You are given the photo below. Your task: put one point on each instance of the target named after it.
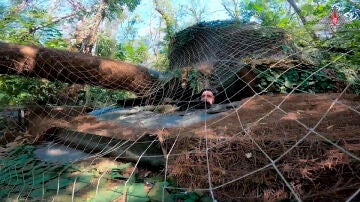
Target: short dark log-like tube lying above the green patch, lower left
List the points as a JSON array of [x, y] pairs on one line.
[[146, 150]]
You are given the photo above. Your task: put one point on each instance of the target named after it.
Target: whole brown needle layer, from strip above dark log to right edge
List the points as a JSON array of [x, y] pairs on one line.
[[312, 140]]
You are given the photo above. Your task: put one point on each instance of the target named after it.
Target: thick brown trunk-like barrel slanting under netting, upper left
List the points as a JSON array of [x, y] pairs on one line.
[[71, 67]]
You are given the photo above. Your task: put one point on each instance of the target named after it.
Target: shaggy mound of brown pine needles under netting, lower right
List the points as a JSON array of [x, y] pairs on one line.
[[317, 169]]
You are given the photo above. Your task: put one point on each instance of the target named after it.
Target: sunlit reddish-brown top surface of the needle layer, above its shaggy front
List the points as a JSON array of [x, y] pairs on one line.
[[305, 108]]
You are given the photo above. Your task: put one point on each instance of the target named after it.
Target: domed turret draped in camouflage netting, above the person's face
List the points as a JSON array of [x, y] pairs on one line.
[[218, 49]]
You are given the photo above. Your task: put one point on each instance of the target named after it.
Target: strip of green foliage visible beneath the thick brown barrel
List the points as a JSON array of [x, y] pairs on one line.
[[29, 91]]
